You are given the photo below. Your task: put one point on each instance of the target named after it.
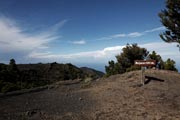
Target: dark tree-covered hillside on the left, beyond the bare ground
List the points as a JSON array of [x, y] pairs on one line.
[[24, 76]]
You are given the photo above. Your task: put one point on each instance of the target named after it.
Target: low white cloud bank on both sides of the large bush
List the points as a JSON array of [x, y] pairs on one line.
[[109, 53]]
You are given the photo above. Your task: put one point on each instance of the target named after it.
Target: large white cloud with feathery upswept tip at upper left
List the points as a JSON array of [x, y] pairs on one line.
[[13, 39]]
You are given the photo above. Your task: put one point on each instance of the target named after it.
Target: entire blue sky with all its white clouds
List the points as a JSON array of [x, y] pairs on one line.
[[82, 32]]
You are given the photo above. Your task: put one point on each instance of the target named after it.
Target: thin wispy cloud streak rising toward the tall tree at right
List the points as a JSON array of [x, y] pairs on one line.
[[132, 35]]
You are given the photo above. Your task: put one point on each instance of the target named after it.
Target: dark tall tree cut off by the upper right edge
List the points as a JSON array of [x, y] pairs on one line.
[[170, 18]]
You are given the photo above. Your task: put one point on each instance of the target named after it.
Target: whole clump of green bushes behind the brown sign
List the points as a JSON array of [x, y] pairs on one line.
[[130, 53]]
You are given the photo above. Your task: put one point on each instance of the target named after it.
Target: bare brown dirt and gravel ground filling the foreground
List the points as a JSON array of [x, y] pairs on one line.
[[119, 97]]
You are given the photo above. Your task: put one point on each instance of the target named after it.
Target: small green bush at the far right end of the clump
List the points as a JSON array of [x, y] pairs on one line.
[[170, 65]]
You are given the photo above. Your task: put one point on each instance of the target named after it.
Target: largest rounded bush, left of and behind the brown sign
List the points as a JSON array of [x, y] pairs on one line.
[[125, 61]]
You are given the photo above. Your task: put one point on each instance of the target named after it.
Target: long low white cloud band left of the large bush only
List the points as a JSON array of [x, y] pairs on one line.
[[105, 53]]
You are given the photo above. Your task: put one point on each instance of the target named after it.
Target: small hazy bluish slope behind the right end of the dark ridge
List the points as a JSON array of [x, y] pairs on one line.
[[92, 72]]
